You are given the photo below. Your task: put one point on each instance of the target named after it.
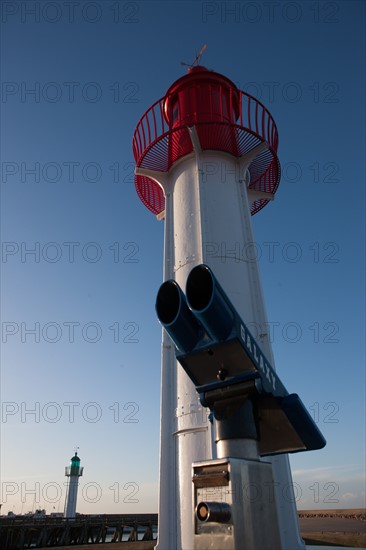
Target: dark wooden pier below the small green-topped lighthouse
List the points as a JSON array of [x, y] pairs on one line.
[[19, 533]]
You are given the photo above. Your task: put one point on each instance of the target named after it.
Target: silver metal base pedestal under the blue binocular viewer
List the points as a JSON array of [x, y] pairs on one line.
[[234, 505]]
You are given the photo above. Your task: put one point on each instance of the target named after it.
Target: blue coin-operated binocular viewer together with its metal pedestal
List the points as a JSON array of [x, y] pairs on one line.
[[253, 414]]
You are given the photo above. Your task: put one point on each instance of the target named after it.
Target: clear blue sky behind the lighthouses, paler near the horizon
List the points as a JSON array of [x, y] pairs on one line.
[[90, 370]]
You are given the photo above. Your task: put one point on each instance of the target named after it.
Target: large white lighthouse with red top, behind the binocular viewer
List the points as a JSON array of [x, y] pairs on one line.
[[206, 161]]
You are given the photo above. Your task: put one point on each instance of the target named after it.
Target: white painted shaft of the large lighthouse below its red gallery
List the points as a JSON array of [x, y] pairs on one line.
[[207, 220]]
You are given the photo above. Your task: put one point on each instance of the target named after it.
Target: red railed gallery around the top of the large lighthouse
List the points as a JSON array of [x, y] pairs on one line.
[[232, 121]]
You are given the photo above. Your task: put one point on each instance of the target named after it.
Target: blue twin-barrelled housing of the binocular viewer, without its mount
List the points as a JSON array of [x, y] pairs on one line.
[[218, 352]]
